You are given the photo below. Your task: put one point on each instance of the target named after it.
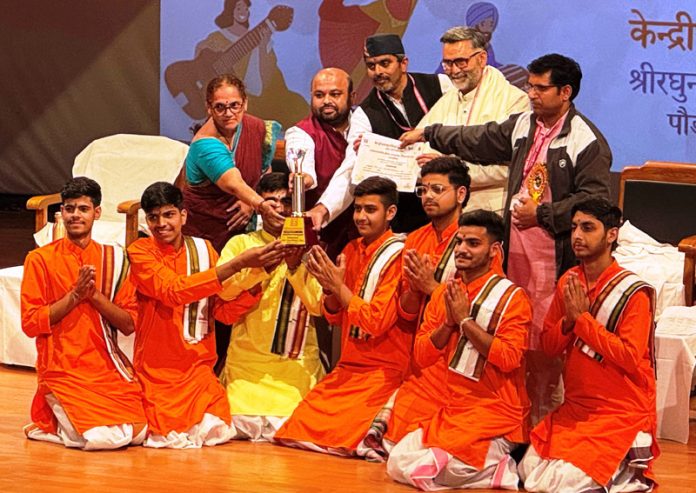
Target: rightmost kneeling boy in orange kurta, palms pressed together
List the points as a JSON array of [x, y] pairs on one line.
[[603, 436]]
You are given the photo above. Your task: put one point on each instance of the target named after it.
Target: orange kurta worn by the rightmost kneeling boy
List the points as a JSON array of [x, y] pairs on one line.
[[606, 403]]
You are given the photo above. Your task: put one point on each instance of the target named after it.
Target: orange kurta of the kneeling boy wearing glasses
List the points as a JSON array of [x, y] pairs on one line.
[[423, 393]]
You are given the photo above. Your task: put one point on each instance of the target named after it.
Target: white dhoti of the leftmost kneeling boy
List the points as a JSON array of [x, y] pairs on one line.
[[97, 438]]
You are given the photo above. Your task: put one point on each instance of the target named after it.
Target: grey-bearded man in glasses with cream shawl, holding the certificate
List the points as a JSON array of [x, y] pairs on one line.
[[481, 95]]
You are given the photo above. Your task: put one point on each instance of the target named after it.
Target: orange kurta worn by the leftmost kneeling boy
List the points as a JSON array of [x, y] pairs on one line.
[[72, 362]]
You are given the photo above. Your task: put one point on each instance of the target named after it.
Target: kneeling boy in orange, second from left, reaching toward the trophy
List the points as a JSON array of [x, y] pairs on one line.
[[176, 281]]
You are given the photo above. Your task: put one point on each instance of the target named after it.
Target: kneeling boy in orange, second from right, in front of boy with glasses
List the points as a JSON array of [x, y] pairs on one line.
[[478, 325]]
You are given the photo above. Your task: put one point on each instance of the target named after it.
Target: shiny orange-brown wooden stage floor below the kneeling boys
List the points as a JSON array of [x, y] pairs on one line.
[[36, 467]]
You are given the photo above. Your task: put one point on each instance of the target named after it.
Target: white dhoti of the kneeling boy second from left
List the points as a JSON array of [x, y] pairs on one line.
[[210, 431]]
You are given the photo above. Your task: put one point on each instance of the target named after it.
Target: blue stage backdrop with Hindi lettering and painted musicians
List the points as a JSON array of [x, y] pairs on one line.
[[638, 58]]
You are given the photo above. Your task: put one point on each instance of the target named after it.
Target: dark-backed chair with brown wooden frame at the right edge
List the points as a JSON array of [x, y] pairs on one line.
[[659, 198]]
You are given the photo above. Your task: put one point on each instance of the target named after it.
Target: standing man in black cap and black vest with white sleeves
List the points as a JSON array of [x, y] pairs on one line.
[[397, 102]]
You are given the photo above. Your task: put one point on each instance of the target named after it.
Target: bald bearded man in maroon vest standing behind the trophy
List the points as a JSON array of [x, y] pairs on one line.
[[321, 139]]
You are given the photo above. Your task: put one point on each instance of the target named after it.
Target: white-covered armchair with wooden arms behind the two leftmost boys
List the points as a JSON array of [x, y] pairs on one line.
[[124, 165]]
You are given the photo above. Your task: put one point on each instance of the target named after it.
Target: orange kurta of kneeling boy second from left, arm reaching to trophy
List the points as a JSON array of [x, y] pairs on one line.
[[177, 377]]
